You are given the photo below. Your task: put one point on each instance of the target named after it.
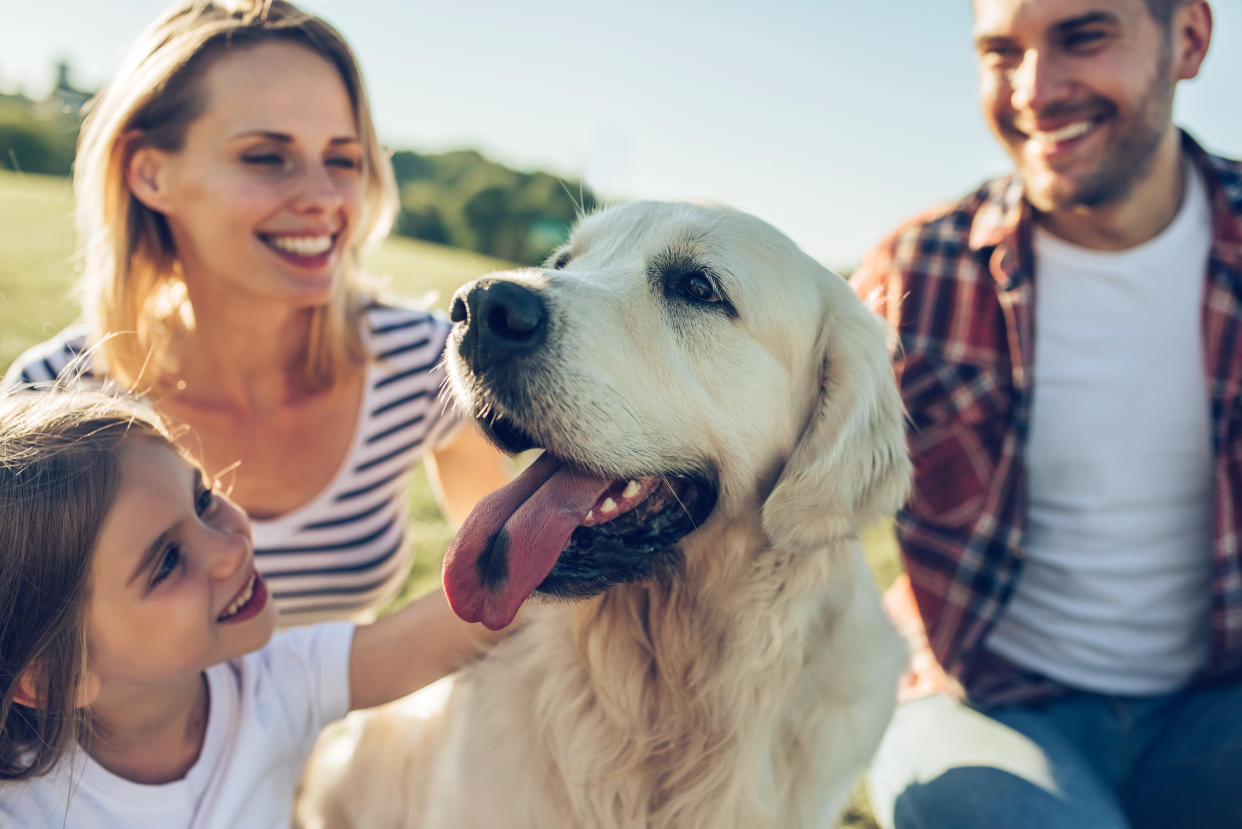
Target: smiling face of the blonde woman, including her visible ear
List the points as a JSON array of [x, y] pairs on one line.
[[263, 197]]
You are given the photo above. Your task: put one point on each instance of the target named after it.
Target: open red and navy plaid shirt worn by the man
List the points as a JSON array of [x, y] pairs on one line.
[[957, 285]]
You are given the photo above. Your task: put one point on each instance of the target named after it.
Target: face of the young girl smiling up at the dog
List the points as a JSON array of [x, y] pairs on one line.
[[173, 582]]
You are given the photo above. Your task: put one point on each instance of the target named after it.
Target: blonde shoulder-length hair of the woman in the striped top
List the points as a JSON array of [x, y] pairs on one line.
[[131, 282]]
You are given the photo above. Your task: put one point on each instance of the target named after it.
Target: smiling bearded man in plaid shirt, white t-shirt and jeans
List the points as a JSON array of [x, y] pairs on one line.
[[1072, 365]]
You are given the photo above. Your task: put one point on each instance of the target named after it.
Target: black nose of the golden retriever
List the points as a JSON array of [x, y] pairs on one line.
[[497, 320]]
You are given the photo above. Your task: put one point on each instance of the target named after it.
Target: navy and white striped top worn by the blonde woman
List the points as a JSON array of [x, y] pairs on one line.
[[343, 554]]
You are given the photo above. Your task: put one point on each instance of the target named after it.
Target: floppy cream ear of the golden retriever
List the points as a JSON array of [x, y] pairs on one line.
[[851, 464]]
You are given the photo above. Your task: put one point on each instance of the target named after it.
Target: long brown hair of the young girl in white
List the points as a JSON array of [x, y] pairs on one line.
[[60, 472]]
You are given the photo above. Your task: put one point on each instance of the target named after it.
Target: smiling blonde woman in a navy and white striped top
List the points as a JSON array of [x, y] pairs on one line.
[[229, 182]]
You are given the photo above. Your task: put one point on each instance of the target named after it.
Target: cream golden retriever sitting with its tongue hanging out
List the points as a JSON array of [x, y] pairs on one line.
[[718, 419]]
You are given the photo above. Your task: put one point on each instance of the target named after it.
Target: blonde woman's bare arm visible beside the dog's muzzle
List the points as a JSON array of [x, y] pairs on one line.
[[464, 472]]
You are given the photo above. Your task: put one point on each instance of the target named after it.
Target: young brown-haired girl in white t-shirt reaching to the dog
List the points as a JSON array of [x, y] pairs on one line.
[[141, 683]]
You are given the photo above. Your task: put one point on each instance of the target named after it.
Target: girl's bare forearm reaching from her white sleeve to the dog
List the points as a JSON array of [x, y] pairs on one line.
[[412, 648]]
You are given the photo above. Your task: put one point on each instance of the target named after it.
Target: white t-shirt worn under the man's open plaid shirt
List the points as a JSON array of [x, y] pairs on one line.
[[1115, 592]]
